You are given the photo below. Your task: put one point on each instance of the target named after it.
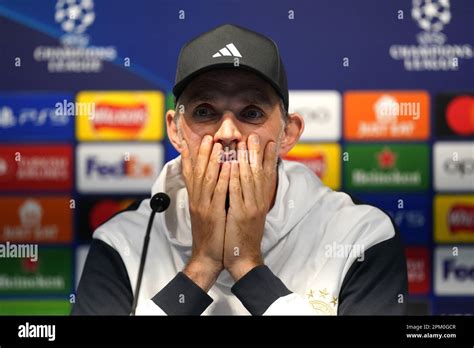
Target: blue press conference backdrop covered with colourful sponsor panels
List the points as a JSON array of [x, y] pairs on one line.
[[386, 89]]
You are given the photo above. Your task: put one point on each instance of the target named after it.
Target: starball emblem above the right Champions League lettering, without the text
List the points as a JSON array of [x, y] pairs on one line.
[[431, 16]]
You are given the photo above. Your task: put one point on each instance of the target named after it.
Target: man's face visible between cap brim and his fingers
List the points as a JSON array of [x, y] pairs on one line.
[[229, 105]]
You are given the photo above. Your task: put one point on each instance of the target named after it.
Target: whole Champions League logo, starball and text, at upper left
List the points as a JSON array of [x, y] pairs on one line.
[[74, 55]]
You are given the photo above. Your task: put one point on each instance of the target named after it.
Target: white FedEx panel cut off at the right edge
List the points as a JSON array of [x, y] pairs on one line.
[[454, 270]]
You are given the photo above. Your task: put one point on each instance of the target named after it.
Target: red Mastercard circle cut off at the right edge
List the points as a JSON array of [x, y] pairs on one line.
[[460, 115]]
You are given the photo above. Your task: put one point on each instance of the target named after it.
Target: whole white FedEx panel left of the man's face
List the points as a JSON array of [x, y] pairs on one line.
[[118, 168]]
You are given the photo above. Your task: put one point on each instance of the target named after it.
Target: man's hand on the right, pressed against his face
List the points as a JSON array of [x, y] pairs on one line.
[[252, 180]]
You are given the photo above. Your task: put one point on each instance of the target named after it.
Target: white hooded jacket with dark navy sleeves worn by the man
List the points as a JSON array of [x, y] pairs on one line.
[[323, 254]]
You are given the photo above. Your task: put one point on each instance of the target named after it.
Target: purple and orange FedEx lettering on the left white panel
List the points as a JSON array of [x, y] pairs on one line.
[[129, 168]]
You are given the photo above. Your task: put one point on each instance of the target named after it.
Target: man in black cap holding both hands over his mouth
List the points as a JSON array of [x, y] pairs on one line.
[[246, 233]]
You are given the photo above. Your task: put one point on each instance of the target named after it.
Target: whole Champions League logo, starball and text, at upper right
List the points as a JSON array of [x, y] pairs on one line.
[[432, 52]]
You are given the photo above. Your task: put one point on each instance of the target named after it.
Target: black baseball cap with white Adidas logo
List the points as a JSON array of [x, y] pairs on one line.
[[225, 46]]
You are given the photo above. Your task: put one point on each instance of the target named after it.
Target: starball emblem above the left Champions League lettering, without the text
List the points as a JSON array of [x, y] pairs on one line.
[[75, 16]]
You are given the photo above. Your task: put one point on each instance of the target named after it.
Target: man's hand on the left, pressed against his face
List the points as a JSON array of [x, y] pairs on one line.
[[207, 189]]
